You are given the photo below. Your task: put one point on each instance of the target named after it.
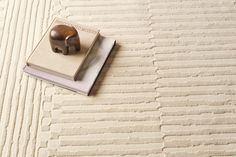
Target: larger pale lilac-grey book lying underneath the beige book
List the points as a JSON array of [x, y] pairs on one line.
[[89, 71]]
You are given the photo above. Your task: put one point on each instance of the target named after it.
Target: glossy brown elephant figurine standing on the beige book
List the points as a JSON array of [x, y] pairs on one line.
[[64, 39]]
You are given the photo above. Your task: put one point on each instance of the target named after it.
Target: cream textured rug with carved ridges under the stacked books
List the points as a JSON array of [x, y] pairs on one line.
[[168, 89]]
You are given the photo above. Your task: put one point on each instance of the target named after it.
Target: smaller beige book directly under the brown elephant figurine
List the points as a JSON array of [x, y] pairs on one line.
[[66, 66]]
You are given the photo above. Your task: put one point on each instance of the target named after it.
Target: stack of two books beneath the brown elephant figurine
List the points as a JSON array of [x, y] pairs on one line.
[[77, 72]]
